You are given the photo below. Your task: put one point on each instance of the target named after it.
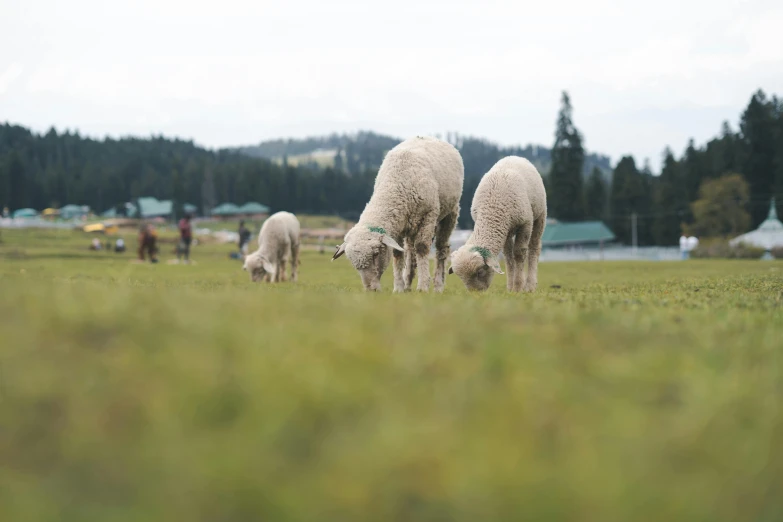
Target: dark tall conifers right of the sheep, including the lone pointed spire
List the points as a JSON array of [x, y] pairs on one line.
[[668, 204]]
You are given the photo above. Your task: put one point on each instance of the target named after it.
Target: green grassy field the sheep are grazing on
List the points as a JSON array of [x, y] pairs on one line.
[[617, 392]]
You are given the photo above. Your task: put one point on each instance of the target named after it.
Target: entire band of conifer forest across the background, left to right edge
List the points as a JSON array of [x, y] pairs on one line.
[[54, 169]]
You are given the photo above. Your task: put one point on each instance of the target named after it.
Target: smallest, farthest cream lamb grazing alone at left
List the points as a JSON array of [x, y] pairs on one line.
[[279, 237]]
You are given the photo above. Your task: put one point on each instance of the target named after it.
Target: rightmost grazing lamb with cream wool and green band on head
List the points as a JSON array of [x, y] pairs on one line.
[[509, 211]]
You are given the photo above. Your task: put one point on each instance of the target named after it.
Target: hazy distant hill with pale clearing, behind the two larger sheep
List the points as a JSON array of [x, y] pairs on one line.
[[362, 151]]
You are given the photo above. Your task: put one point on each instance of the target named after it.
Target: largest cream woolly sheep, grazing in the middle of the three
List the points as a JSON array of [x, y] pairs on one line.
[[415, 200]]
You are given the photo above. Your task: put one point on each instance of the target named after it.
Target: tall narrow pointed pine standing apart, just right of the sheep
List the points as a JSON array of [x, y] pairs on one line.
[[565, 175]]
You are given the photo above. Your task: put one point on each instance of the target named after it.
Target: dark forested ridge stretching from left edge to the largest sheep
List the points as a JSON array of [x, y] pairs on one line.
[[52, 170]]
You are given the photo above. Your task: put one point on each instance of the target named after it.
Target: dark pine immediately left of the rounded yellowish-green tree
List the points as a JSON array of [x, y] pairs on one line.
[[670, 202]]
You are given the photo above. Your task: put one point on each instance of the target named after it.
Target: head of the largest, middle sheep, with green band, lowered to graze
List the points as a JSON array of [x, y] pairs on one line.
[[368, 249]]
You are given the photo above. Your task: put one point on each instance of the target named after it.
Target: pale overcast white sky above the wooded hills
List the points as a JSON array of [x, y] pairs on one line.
[[236, 72]]
